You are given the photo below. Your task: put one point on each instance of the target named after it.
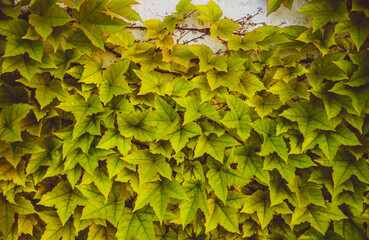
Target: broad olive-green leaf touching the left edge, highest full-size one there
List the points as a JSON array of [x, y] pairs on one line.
[[14, 30]]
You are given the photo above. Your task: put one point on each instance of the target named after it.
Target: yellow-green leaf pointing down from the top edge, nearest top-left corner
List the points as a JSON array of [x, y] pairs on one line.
[[45, 15]]
